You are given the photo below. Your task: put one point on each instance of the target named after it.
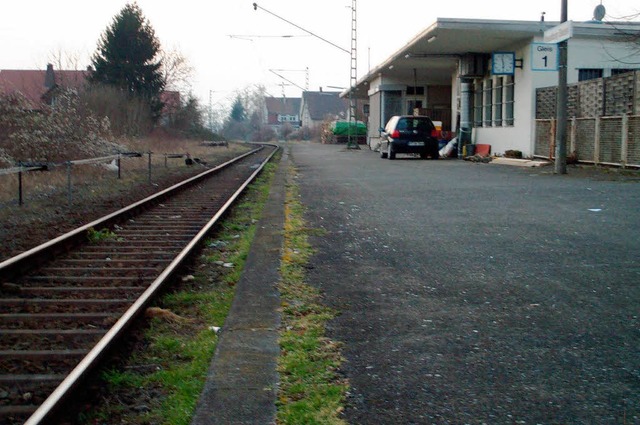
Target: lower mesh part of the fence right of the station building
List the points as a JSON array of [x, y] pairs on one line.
[[599, 140]]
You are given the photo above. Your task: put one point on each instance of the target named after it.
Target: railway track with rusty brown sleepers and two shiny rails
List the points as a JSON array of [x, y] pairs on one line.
[[64, 303]]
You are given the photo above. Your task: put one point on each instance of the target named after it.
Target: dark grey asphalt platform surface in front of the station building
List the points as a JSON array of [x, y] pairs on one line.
[[477, 293]]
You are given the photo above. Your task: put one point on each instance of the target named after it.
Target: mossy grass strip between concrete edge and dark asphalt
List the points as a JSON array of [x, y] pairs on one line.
[[311, 388]]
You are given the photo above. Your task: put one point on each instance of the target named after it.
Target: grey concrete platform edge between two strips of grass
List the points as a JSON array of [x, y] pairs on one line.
[[242, 381]]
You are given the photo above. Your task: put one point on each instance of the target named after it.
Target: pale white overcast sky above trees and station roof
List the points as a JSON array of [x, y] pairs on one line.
[[212, 34]]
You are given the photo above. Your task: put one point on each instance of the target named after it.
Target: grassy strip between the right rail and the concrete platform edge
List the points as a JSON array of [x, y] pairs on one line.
[[162, 381]]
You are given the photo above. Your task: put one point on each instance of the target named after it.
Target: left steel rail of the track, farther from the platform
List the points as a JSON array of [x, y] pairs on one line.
[[25, 260]]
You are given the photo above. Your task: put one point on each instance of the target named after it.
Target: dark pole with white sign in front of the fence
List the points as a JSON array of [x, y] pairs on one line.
[[560, 166]]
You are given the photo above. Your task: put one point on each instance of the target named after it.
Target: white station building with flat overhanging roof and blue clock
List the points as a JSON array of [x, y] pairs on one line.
[[479, 77]]
